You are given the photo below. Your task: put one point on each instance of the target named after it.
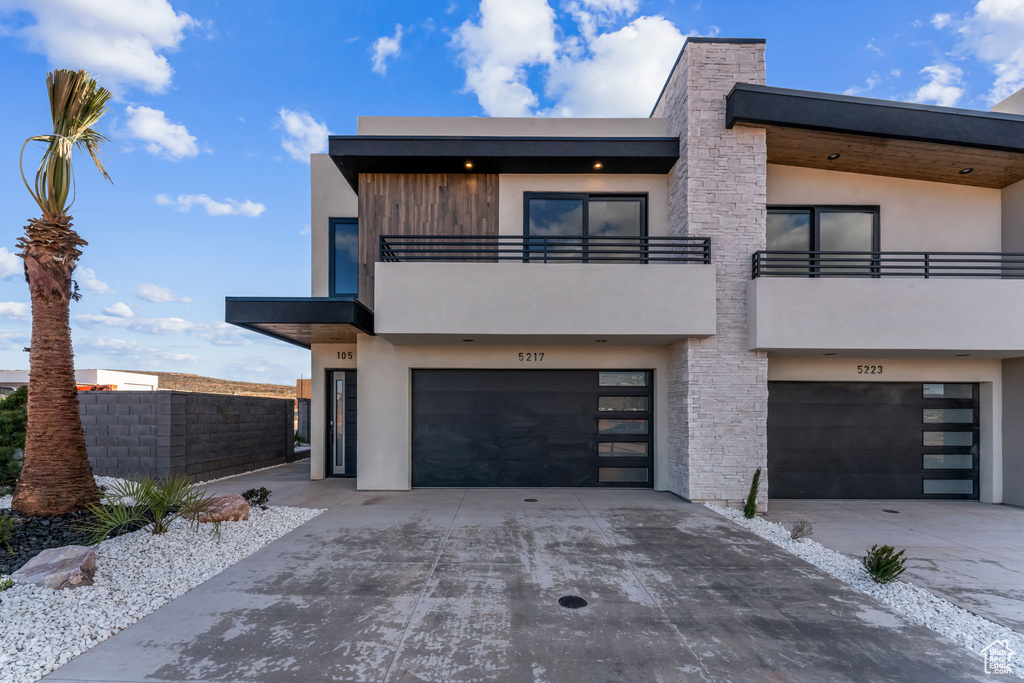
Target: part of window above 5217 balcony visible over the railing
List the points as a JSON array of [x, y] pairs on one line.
[[580, 215]]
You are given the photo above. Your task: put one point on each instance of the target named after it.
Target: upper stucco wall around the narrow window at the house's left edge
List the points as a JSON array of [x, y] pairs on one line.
[[331, 198]]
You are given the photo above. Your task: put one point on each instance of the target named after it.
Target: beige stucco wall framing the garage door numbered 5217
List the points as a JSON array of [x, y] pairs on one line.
[[386, 392]]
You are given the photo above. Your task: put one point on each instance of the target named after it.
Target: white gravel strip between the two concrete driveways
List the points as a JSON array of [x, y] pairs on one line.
[[969, 630]]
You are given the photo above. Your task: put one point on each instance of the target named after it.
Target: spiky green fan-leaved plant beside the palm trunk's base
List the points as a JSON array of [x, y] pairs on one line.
[[135, 504]]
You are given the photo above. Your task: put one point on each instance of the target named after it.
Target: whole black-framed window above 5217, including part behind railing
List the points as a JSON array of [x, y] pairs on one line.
[[563, 216]]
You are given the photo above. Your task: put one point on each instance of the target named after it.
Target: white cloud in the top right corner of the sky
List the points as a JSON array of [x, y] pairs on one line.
[[995, 34]]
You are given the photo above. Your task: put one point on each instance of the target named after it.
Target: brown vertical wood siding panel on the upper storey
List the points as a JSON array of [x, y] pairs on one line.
[[421, 204]]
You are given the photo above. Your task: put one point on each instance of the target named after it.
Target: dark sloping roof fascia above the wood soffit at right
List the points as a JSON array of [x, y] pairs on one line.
[[762, 105]]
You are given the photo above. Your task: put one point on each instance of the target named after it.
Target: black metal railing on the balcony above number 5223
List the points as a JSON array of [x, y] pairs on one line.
[[887, 265]]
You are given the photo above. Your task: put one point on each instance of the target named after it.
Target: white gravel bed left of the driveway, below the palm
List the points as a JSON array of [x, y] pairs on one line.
[[41, 629]]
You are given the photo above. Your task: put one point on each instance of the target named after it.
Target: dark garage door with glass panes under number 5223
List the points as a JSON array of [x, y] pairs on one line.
[[873, 441]]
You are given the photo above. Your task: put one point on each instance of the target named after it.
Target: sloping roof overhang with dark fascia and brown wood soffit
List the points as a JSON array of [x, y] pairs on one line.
[[882, 138]]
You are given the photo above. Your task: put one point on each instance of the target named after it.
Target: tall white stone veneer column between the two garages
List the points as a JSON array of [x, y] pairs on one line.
[[718, 390]]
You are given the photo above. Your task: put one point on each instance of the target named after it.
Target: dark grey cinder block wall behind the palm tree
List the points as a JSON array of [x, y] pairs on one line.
[[157, 434]]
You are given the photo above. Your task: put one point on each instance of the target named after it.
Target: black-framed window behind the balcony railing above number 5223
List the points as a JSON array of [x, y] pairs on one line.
[[824, 229]]
